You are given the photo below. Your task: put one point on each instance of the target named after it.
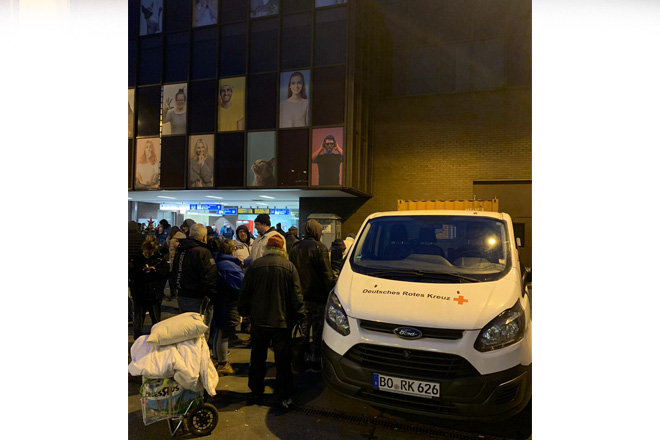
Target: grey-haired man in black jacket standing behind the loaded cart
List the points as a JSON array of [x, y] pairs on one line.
[[194, 273]]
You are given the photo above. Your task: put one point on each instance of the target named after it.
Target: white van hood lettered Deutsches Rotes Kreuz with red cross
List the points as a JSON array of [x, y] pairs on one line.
[[460, 306]]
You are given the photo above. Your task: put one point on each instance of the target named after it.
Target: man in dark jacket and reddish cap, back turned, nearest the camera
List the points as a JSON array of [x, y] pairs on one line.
[[271, 297]]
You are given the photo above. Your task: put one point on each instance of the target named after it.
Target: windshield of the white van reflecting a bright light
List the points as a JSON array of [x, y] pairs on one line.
[[433, 248]]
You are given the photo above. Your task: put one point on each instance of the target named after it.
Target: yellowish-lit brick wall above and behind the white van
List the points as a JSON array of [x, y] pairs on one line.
[[434, 147]]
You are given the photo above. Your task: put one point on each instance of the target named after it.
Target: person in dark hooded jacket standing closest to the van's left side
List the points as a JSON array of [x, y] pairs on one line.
[[310, 256]]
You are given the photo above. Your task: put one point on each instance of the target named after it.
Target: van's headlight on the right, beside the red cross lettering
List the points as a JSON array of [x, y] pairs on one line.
[[506, 329]]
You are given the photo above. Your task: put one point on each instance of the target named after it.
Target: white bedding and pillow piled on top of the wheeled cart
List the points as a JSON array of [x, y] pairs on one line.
[[176, 348]]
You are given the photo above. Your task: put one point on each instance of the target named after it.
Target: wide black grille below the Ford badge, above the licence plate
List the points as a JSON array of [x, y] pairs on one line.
[[418, 363]]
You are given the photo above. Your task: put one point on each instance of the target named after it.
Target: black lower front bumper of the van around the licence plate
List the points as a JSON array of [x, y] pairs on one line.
[[489, 397]]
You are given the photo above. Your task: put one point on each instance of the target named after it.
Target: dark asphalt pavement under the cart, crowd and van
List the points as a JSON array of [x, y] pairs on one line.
[[319, 413]]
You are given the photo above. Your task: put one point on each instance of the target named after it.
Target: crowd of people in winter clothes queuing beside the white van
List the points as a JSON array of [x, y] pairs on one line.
[[264, 285]]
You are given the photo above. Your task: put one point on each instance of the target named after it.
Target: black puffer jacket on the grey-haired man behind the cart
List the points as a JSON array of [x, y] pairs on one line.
[[195, 275]]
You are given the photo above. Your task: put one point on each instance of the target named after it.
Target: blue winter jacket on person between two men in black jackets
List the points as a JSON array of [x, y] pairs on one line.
[[230, 280]]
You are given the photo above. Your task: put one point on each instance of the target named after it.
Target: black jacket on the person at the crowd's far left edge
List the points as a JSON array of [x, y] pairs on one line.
[[147, 285]]
